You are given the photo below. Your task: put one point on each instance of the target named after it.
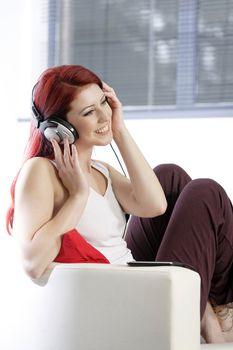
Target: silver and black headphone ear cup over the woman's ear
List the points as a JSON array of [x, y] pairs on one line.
[[58, 129]]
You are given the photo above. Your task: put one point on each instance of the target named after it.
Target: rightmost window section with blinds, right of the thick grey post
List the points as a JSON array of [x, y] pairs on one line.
[[215, 52]]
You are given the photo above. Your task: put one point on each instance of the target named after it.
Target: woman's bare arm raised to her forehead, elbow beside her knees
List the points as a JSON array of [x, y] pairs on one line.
[[142, 195]]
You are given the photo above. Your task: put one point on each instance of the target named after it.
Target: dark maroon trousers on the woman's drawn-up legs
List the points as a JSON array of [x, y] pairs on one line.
[[197, 229]]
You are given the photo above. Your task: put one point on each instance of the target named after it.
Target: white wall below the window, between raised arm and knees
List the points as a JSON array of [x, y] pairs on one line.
[[203, 147]]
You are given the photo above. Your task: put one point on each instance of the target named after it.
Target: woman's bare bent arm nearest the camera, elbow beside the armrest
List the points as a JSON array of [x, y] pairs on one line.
[[38, 224]]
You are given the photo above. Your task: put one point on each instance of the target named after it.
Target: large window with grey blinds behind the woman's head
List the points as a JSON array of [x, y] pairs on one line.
[[160, 55]]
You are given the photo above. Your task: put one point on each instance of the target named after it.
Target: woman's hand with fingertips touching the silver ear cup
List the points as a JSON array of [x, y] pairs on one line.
[[69, 169]]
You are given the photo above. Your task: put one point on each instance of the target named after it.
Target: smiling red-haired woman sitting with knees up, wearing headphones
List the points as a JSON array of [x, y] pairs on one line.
[[60, 187]]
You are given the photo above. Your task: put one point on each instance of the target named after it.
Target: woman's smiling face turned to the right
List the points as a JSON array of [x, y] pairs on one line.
[[91, 116]]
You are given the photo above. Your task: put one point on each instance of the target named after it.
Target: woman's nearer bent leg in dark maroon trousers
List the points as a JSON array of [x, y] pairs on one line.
[[200, 233]]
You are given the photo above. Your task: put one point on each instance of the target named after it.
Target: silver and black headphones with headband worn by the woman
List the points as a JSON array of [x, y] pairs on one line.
[[54, 127]]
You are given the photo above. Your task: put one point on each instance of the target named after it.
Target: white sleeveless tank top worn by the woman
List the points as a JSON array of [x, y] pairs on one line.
[[103, 222]]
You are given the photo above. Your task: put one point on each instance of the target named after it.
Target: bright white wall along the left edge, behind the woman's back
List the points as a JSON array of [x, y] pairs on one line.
[[15, 81]]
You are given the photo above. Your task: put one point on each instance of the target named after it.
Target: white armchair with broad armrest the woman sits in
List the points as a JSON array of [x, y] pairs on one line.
[[102, 307]]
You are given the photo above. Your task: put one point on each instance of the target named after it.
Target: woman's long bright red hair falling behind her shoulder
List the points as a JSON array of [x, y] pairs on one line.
[[52, 96]]
